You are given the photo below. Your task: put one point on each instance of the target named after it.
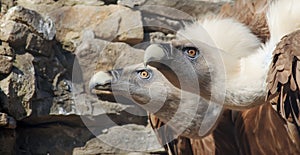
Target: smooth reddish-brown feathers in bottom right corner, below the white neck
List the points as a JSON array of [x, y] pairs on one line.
[[260, 130]]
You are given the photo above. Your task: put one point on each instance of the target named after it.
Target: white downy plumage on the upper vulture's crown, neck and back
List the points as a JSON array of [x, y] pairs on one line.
[[246, 60]]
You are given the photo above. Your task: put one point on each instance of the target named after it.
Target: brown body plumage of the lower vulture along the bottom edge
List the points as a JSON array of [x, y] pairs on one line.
[[259, 130]]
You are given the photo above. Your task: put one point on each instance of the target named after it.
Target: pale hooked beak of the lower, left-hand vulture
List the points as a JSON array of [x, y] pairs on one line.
[[101, 81]]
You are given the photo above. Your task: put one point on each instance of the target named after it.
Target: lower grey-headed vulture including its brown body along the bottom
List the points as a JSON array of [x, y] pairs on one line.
[[253, 131]]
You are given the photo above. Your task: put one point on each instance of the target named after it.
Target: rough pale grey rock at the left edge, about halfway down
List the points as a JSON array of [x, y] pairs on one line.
[[19, 87]]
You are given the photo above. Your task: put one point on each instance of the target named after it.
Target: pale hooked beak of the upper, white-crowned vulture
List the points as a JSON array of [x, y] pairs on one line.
[[156, 52]]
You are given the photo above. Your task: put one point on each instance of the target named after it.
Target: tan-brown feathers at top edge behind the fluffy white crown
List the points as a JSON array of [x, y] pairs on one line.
[[251, 13]]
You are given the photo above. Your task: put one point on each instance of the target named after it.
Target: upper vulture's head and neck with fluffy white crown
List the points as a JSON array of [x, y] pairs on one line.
[[217, 61]]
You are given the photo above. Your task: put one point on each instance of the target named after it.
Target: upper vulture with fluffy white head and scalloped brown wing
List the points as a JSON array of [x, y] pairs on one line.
[[215, 47]]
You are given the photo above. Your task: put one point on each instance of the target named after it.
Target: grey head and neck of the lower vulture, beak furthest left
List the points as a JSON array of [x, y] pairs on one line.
[[186, 113]]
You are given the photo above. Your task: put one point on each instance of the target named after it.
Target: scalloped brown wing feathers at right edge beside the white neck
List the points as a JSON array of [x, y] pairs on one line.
[[283, 79]]
